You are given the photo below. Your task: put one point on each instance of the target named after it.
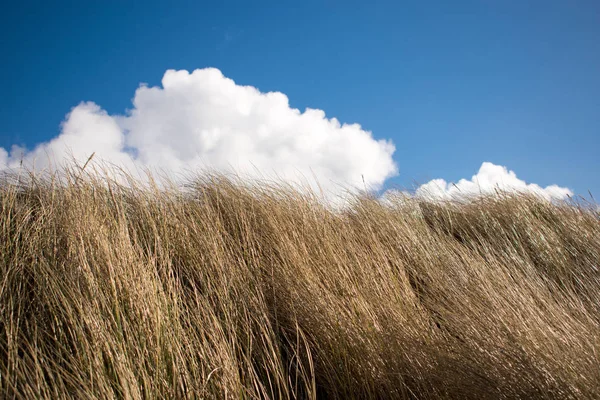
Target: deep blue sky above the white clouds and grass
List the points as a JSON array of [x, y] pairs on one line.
[[452, 84]]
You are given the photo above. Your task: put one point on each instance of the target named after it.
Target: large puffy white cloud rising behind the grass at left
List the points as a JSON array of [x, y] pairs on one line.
[[204, 120]]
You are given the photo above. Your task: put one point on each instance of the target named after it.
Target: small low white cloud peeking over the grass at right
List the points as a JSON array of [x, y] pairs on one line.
[[490, 178]]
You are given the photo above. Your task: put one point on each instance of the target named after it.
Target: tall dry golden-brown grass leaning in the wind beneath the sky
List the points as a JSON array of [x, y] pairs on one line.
[[225, 291]]
